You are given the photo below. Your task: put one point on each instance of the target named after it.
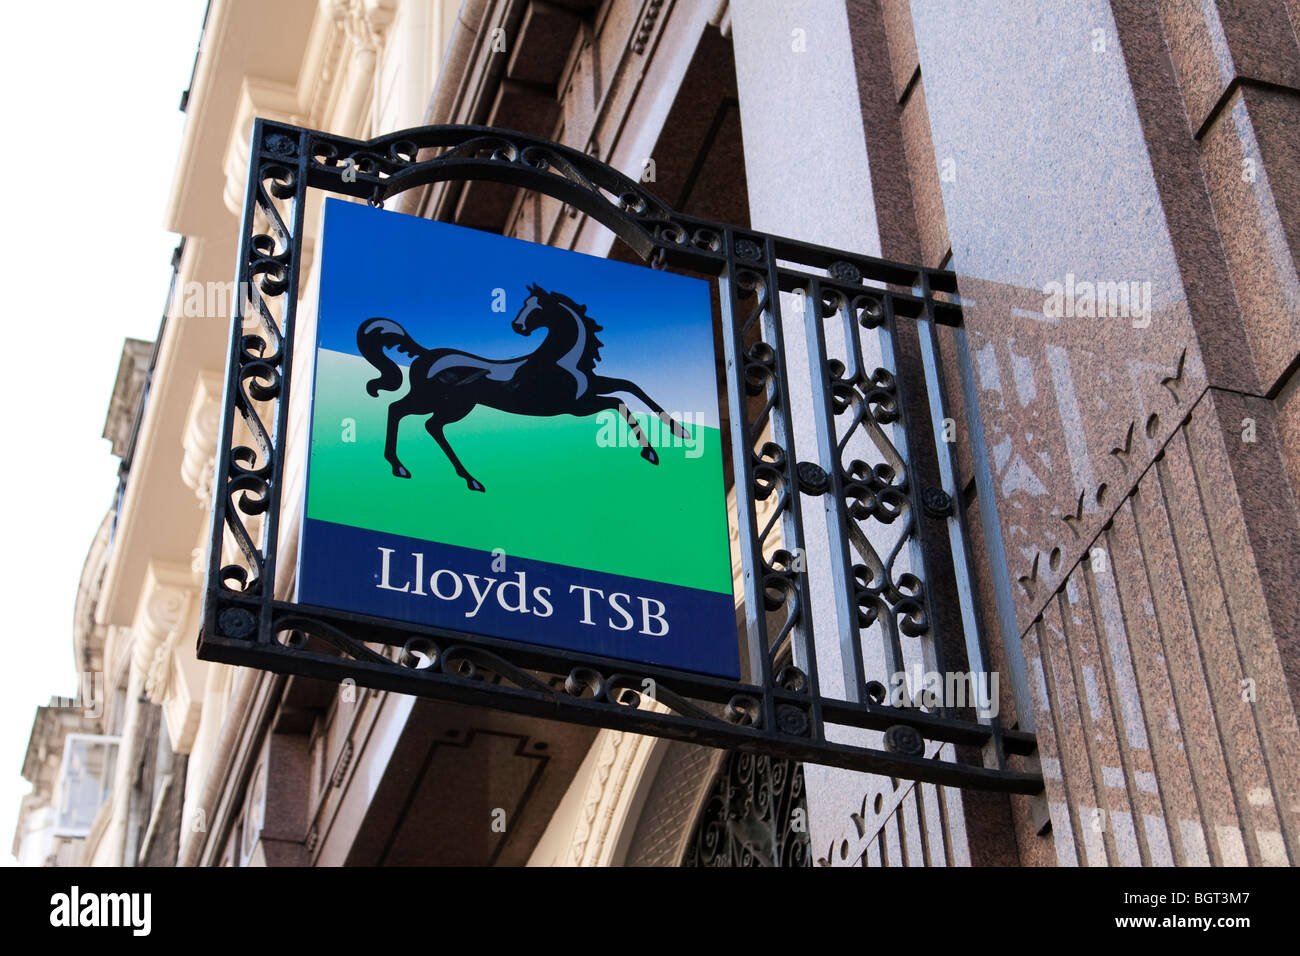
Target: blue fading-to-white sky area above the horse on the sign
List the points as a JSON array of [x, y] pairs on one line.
[[439, 280]]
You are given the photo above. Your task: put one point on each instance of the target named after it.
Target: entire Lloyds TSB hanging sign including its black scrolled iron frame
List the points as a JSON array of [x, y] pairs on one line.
[[515, 477]]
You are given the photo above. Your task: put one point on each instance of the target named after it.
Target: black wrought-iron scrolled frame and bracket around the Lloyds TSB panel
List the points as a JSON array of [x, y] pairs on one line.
[[779, 712]]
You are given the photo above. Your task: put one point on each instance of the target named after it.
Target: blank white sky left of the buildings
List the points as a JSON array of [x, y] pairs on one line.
[[92, 124]]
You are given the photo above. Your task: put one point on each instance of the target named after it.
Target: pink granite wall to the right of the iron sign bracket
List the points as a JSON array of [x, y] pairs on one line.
[[1146, 474]]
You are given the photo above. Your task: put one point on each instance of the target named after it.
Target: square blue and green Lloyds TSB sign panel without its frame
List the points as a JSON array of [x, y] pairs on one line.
[[517, 442]]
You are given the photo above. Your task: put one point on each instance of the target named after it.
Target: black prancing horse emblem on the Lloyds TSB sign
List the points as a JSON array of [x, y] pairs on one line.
[[557, 379]]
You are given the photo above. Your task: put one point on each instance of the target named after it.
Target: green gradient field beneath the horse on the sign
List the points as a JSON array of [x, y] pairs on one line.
[[553, 492]]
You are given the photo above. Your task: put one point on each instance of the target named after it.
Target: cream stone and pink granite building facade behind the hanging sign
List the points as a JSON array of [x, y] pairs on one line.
[[1117, 189]]
